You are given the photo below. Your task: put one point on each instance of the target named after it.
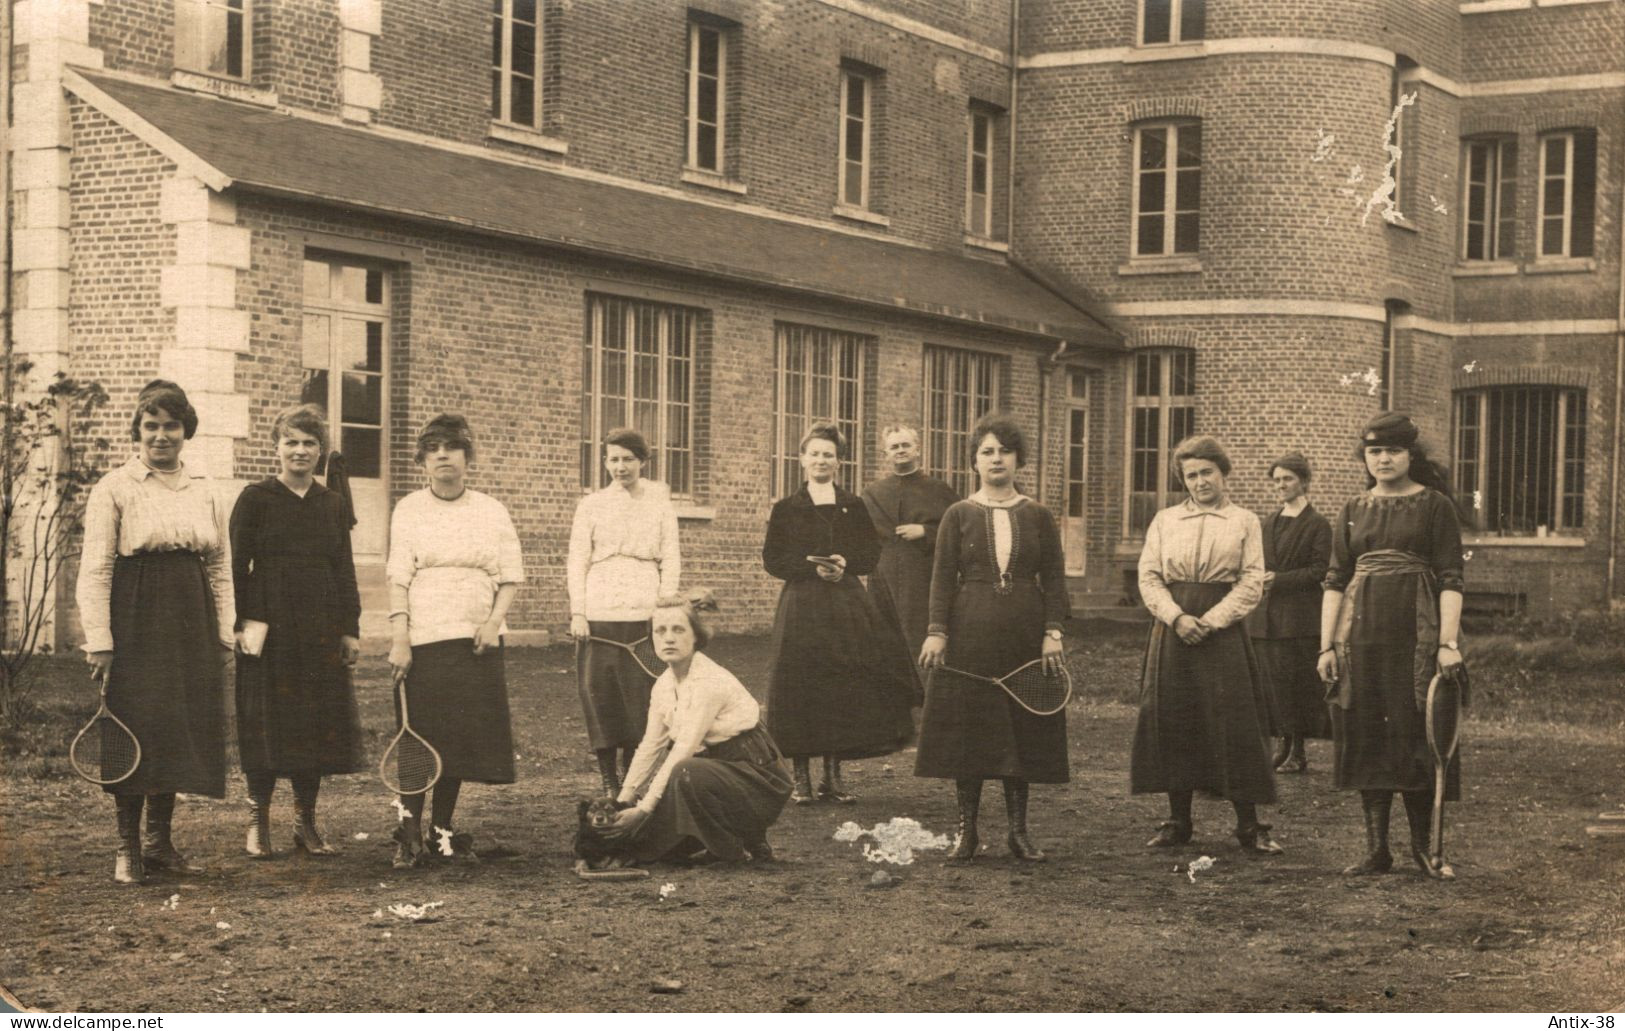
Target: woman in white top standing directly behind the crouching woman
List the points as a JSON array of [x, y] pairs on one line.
[[623, 557]]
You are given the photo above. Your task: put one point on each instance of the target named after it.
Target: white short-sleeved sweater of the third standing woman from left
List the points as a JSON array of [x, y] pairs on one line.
[[451, 557]]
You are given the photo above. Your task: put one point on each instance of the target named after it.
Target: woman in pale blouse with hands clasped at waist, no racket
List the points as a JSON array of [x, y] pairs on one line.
[[1203, 710]]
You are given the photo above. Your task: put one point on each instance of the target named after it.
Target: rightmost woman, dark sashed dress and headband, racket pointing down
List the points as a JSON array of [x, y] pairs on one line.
[[1390, 620]]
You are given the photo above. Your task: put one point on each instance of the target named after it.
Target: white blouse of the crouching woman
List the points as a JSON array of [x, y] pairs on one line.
[[708, 708]]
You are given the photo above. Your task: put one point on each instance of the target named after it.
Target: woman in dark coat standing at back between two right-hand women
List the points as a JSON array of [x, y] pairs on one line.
[[1286, 625]]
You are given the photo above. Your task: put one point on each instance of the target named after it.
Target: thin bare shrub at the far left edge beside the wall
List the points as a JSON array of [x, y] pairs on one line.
[[50, 458]]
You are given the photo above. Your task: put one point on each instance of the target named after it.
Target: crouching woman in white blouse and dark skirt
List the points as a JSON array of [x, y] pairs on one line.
[[706, 775]]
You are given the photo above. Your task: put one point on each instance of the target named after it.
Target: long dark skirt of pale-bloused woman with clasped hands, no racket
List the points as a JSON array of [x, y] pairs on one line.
[[1202, 711]]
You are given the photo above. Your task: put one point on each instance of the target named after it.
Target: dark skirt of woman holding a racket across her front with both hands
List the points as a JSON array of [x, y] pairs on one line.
[[976, 729]]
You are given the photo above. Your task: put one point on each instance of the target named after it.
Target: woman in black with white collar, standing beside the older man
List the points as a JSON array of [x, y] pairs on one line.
[[841, 684]]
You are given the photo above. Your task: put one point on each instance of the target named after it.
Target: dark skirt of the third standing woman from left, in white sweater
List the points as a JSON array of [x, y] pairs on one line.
[[459, 705]]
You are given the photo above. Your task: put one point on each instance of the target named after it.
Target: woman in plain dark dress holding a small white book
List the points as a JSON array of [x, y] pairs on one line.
[[298, 633]]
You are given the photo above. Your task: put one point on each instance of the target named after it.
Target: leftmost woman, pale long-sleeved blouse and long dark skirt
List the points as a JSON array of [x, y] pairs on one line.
[[157, 604]]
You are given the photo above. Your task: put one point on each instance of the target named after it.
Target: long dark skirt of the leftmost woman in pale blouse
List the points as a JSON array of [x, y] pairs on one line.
[[168, 682]]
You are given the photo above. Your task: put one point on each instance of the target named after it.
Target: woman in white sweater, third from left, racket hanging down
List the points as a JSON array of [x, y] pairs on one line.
[[454, 568]]
